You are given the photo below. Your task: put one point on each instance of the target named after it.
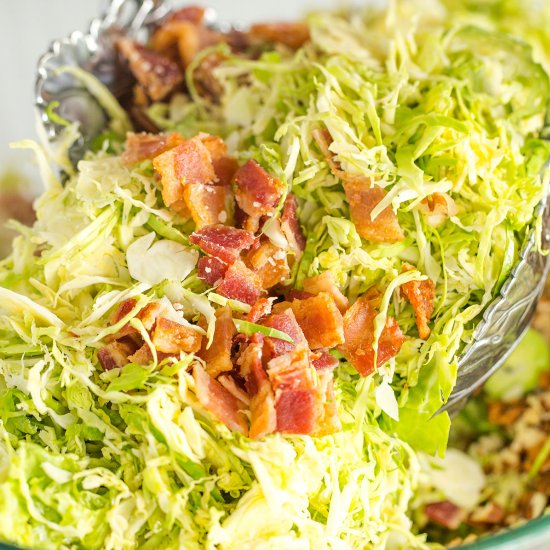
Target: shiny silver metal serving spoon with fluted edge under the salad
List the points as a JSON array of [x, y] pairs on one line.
[[505, 319]]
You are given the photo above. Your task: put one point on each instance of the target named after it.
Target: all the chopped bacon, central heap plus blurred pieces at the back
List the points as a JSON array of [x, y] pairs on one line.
[[254, 384]]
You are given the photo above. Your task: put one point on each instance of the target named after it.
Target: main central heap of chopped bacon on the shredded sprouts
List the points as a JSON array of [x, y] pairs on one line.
[[256, 384]]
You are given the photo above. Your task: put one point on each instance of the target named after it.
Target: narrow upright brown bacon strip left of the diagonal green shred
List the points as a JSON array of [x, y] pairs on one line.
[[218, 356]]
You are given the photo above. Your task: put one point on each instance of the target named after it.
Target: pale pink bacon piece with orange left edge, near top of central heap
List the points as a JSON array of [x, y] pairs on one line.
[[187, 163]]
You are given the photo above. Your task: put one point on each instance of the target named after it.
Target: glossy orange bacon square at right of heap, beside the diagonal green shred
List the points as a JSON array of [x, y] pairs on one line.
[[320, 321]]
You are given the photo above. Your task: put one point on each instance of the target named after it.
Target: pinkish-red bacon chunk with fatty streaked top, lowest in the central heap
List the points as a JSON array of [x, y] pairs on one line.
[[293, 380]]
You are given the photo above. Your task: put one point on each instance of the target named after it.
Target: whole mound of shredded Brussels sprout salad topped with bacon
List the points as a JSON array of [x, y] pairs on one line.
[[236, 329]]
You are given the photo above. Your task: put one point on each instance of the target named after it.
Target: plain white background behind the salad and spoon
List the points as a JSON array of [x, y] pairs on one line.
[[27, 27]]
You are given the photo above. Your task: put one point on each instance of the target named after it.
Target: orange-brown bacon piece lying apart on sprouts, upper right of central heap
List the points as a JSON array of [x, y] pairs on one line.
[[363, 198]]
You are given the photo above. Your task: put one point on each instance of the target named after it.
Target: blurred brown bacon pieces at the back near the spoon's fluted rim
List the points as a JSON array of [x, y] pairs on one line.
[[159, 68]]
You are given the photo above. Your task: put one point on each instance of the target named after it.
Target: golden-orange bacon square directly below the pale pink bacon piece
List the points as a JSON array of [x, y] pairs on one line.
[[208, 204]]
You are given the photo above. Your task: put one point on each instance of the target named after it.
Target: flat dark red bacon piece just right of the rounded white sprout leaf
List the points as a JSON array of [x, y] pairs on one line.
[[224, 243]]
